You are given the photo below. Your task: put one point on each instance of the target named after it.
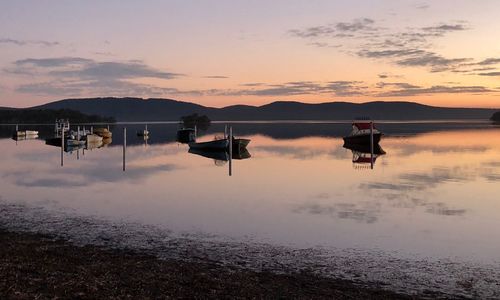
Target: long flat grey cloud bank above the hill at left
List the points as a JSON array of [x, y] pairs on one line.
[[75, 76]]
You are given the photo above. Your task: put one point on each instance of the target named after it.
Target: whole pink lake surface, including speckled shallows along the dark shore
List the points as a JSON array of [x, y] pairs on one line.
[[424, 216]]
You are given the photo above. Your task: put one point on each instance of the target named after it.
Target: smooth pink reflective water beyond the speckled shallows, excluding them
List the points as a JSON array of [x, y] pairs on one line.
[[434, 194]]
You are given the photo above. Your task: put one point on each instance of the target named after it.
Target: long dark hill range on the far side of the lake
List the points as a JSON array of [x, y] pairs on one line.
[[137, 109]]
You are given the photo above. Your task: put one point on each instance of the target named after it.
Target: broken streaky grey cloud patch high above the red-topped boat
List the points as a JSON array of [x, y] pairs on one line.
[[411, 47]]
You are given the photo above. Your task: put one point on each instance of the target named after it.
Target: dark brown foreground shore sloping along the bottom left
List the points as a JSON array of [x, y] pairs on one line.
[[35, 266]]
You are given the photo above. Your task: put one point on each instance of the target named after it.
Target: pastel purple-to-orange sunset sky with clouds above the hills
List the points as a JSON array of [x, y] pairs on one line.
[[226, 52]]
